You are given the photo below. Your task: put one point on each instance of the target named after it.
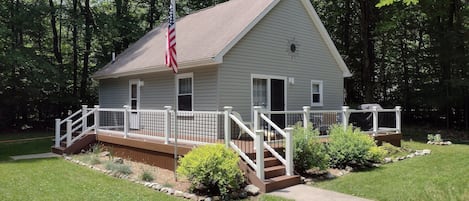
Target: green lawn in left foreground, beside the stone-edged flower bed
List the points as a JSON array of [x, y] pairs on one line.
[[56, 179]]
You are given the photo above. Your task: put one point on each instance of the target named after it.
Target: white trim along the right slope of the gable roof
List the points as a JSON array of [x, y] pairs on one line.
[[326, 37]]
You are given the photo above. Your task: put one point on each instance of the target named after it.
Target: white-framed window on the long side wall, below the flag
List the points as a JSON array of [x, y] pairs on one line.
[[184, 89]]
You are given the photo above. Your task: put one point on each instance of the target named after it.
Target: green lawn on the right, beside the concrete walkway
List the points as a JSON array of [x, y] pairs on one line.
[[443, 175]]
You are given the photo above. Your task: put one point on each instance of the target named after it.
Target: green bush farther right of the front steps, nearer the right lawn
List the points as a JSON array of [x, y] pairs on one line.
[[351, 147]]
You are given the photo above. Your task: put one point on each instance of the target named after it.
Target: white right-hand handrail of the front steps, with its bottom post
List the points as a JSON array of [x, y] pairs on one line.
[[288, 160]]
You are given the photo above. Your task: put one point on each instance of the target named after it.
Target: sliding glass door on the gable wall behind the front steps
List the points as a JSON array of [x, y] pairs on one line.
[[269, 93]]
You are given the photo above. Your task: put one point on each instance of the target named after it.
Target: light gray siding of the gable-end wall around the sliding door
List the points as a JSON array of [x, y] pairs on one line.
[[264, 50]]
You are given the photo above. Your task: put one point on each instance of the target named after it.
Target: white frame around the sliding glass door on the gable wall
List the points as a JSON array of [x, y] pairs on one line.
[[268, 78]]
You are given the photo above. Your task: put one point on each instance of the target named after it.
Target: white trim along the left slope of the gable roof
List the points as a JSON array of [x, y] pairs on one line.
[[252, 24]]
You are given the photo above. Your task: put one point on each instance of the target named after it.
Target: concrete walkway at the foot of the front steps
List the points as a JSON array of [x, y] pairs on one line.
[[303, 192]]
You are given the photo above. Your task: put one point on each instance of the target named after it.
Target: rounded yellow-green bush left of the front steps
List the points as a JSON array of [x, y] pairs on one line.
[[212, 169]]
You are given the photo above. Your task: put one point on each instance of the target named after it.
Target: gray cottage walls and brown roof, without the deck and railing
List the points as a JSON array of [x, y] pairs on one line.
[[270, 53]]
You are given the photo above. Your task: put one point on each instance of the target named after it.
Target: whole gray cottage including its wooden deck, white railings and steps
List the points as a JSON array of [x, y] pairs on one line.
[[264, 59]]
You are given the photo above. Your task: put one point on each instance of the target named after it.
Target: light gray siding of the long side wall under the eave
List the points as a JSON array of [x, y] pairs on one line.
[[159, 90]]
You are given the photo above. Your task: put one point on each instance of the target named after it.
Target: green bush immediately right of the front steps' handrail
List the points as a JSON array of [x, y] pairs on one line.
[[308, 151]]
